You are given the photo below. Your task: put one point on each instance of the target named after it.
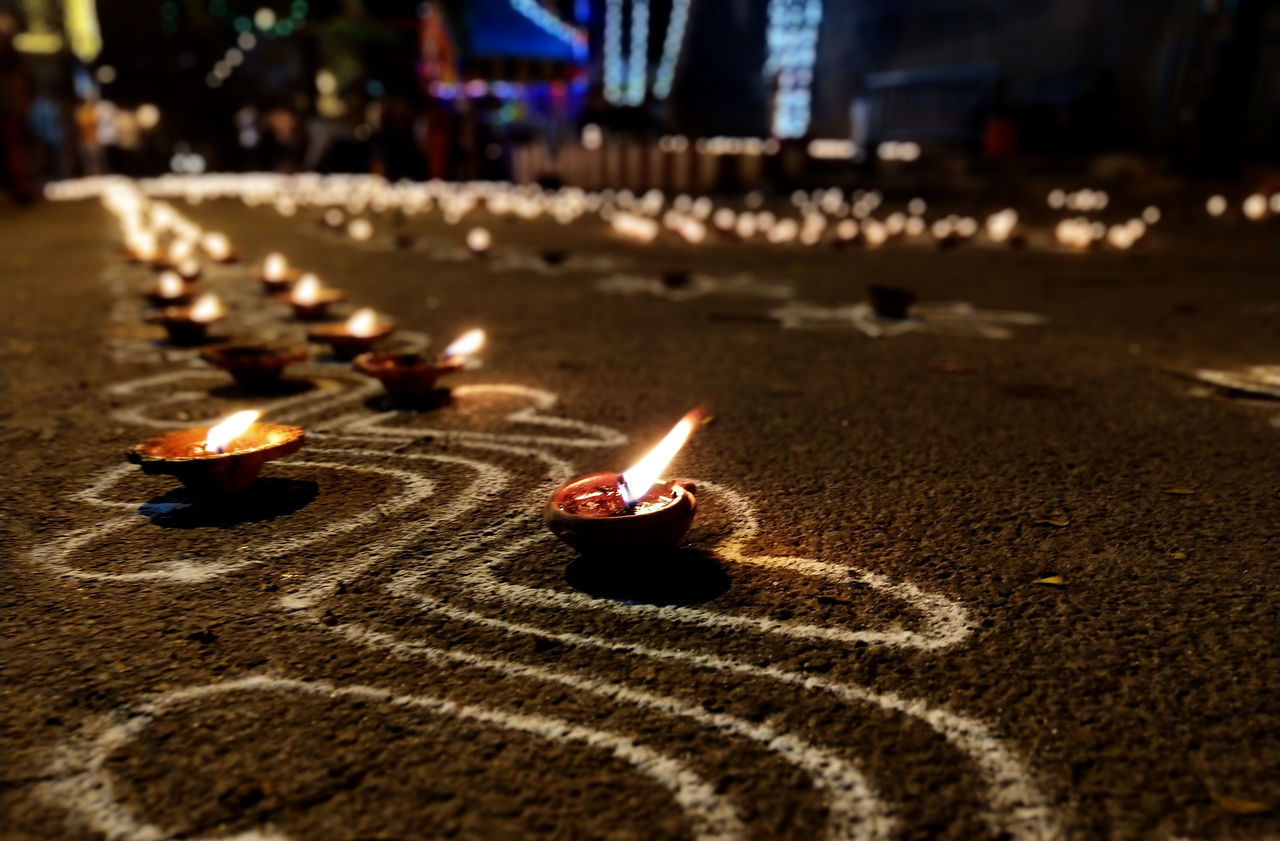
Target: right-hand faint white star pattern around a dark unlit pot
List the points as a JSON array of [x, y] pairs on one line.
[[952, 318]]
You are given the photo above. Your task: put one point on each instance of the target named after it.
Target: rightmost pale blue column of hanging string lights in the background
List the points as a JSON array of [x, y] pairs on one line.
[[793, 49]]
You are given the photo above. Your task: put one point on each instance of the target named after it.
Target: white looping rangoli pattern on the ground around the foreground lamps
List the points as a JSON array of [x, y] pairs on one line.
[[386, 446]]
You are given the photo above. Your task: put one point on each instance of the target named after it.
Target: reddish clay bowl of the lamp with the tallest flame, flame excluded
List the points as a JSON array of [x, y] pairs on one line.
[[588, 514]]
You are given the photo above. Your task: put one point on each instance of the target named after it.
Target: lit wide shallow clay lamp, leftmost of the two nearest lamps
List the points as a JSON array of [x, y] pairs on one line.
[[221, 459]]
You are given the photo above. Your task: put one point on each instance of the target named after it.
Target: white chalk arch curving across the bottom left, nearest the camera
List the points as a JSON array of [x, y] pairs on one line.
[[88, 787]]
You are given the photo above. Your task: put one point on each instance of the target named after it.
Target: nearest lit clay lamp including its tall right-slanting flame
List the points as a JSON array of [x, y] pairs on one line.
[[629, 513]]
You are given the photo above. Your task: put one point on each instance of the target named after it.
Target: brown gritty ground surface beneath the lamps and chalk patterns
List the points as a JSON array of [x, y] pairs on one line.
[[860, 642]]
